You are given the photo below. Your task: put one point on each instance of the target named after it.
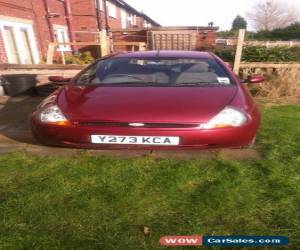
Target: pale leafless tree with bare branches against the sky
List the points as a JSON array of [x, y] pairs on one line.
[[272, 14]]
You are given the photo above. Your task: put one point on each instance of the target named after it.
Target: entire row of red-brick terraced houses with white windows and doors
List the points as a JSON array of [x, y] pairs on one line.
[[27, 26]]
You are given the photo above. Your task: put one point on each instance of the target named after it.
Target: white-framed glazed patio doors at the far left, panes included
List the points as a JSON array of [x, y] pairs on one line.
[[19, 42]]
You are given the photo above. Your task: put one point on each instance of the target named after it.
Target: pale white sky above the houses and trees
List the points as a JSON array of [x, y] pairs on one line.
[[196, 12]]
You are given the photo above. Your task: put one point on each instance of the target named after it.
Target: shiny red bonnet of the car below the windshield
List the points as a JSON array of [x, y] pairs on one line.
[[143, 104]]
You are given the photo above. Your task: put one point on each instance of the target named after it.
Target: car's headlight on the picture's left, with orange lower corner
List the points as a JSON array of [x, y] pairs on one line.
[[52, 114]]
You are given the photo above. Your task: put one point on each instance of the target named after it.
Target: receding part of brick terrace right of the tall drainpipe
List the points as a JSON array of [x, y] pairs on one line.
[[113, 14]]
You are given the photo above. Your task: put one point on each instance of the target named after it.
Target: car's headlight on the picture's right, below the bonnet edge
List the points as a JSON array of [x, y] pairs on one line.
[[228, 117]]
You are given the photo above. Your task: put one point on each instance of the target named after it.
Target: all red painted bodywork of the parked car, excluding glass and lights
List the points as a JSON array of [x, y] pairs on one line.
[[180, 105]]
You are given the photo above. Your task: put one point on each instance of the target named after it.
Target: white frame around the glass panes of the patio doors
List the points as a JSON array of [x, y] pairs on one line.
[[16, 26]]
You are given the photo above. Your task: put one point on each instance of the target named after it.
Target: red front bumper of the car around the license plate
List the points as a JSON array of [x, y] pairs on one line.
[[192, 138]]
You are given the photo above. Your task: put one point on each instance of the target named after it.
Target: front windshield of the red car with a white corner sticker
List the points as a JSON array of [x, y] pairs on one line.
[[156, 72]]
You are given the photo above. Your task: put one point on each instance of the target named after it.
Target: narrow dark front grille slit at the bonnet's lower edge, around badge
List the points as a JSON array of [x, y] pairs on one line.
[[146, 125]]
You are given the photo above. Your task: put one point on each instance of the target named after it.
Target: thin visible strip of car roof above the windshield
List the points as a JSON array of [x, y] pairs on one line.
[[165, 54]]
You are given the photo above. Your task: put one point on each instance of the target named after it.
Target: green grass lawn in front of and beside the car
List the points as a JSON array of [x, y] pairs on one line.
[[104, 203]]
